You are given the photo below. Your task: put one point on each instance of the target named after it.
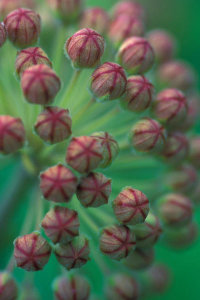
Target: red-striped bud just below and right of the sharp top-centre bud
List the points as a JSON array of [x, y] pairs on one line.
[[108, 82]]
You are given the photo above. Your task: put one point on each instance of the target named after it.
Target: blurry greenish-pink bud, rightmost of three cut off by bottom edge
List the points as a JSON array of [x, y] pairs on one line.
[[122, 286]]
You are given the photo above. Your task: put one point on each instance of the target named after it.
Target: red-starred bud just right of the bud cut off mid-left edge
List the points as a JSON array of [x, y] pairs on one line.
[[54, 124]]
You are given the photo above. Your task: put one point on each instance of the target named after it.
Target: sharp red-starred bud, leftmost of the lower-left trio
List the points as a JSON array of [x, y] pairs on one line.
[[31, 252]]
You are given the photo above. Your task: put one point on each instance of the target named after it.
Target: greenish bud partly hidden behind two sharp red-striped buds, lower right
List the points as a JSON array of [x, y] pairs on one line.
[[148, 233]]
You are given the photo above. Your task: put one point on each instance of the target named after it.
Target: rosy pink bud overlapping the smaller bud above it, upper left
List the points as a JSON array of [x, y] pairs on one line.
[[40, 84]]
